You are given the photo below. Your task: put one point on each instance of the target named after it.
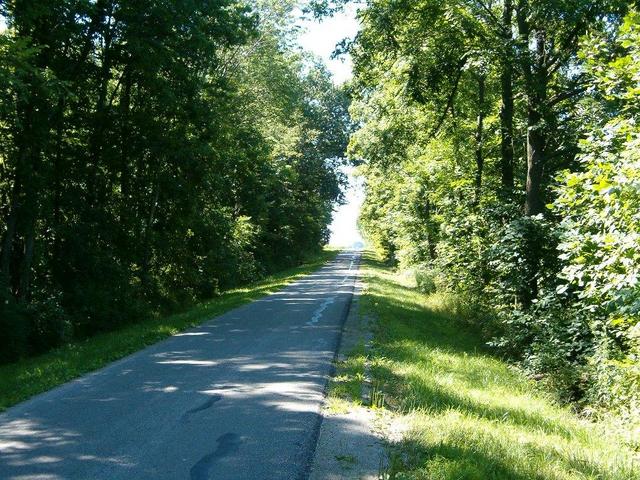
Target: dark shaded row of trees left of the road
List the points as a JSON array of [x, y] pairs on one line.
[[153, 153]]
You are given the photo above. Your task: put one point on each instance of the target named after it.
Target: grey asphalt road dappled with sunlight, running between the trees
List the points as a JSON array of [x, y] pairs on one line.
[[236, 398]]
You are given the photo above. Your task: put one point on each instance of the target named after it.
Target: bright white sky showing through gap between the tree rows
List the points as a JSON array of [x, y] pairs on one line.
[[321, 38]]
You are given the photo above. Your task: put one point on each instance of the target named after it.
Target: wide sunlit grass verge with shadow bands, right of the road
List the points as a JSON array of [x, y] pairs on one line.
[[471, 415]]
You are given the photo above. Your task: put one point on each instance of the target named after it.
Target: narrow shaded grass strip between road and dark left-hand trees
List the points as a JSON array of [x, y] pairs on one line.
[[21, 380]]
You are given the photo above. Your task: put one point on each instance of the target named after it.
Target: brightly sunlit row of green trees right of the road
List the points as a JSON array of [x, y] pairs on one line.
[[499, 142]]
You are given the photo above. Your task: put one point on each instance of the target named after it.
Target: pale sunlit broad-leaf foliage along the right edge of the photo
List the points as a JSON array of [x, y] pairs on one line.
[[600, 226]]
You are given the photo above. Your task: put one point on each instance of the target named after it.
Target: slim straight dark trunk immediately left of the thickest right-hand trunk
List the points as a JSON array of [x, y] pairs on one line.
[[506, 108]]
